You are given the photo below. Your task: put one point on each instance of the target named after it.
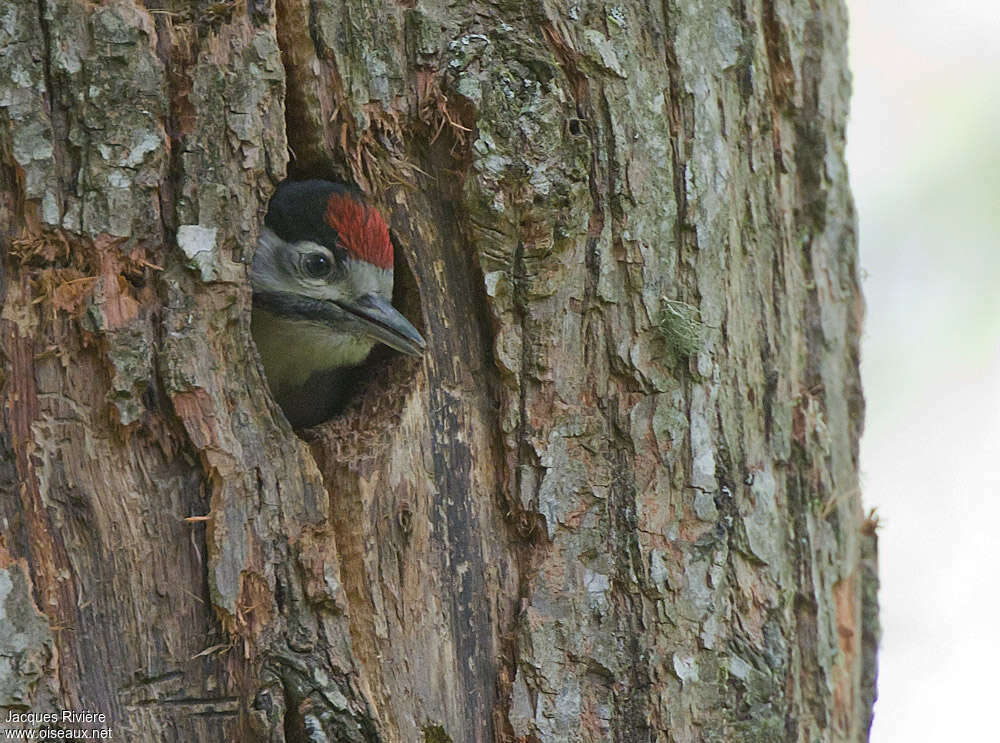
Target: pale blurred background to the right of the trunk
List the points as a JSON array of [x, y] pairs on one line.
[[924, 155]]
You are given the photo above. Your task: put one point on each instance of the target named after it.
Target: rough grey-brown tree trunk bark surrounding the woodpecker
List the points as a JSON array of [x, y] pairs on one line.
[[618, 498]]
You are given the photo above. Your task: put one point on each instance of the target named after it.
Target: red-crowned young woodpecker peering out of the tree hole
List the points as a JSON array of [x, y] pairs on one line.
[[322, 291]]
